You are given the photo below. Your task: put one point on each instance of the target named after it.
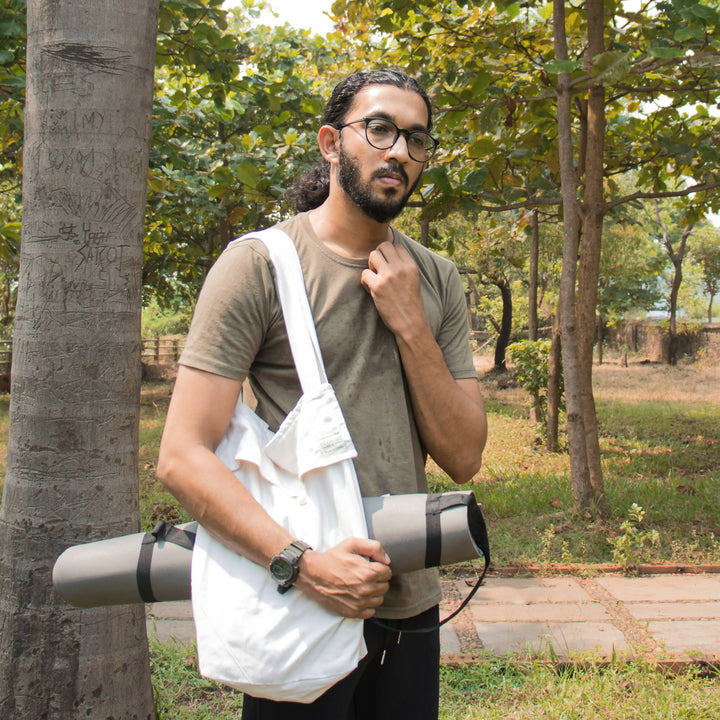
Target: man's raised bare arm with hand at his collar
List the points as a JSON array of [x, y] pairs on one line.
[[449, 413]]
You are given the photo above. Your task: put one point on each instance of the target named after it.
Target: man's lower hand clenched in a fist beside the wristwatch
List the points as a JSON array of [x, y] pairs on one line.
[[350, 579]]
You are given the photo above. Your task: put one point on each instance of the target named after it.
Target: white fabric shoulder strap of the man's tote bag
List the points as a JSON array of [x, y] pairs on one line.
[[299, 322]]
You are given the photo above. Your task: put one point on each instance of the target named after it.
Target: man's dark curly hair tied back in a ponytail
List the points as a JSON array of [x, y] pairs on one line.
[[311, 189]]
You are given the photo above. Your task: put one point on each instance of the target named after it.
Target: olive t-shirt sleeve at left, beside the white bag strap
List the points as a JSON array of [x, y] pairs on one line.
[[233, 313]]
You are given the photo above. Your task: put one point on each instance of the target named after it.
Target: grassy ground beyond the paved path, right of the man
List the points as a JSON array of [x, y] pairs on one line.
[[660, 447]]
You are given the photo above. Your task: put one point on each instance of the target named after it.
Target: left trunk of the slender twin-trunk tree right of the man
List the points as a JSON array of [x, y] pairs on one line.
[[572, 370]]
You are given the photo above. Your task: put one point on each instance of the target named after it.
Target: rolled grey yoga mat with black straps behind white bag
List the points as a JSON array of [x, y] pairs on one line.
[[416, 531]]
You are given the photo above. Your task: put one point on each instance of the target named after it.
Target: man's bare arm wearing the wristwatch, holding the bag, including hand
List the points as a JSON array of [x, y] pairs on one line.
[[350, 579]]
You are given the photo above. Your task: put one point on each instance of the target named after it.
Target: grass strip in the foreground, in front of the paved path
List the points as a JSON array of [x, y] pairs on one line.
[[492, 689]]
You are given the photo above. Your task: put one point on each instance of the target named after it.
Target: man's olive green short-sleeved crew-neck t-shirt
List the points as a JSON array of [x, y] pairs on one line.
[[238, 332]]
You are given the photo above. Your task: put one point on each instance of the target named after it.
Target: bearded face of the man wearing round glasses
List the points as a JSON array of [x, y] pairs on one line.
[[380, 182]]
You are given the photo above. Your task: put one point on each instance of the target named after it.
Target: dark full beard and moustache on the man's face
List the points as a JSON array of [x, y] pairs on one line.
[[381, 207]]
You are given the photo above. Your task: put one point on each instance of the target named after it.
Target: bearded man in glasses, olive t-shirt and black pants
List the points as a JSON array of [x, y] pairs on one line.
[[391, 321]]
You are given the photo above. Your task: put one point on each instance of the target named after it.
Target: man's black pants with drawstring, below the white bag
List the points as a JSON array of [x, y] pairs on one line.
[[398, 679]]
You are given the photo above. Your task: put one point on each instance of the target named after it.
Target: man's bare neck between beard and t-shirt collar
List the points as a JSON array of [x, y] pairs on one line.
[[345, 229]]
